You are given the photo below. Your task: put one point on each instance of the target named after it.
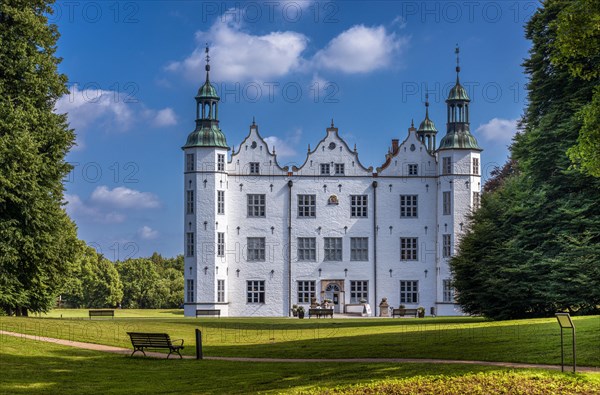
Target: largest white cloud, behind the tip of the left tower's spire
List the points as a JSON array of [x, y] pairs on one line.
[[240, 56]]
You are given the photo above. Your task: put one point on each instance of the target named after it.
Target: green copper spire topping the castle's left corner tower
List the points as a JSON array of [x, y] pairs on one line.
[[207, 132]]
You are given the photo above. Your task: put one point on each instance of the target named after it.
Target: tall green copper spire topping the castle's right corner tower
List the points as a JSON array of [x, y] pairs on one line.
[[458, 134]]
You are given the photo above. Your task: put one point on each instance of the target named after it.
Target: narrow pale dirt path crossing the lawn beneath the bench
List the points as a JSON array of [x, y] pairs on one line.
[[127, 351]]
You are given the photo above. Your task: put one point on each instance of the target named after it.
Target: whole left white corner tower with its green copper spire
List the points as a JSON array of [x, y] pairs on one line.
[[205, 182]]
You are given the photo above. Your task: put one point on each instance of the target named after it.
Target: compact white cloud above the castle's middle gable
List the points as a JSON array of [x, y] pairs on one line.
[[360, 49]]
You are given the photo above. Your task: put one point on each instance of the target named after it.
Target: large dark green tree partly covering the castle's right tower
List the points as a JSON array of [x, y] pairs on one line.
[[533, 246]]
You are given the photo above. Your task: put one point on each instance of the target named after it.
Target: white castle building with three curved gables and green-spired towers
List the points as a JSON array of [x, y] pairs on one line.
[[260, 238]]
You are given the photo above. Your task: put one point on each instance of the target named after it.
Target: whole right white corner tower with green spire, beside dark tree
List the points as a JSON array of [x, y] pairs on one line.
[[459, 171]]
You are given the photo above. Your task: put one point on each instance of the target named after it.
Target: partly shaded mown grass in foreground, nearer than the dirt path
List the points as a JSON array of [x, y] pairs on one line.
[[33, 367]]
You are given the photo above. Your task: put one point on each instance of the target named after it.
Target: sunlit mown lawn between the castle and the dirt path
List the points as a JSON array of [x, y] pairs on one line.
[[528, 341]]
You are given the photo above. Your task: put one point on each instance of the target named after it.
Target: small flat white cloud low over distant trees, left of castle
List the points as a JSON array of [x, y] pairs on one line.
[[121, 197]]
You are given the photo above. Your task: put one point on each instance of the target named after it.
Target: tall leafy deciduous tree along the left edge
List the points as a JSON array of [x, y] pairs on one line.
[[37, 239]]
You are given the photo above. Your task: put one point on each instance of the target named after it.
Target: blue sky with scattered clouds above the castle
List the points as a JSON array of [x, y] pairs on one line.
[[134, 68]]
